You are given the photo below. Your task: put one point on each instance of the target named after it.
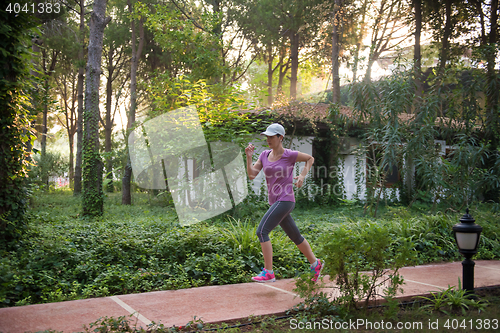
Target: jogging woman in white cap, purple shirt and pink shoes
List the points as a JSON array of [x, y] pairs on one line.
[[278, 164]]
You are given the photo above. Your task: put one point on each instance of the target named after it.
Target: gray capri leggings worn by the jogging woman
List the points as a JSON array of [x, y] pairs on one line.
[[279, 213]]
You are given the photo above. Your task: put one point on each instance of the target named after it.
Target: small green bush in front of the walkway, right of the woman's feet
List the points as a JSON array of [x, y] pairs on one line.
[[365, 258]]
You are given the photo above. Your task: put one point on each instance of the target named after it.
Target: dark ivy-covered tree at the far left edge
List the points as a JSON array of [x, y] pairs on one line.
[[15, 118]]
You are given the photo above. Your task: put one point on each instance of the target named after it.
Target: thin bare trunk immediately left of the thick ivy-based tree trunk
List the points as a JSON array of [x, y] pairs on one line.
[[79, 123]]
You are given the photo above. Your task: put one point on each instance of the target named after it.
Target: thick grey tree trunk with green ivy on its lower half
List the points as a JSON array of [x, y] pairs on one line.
[[93, 199]]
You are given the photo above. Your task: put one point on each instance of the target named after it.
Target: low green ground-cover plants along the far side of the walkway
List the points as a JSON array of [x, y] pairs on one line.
[[142, 248]]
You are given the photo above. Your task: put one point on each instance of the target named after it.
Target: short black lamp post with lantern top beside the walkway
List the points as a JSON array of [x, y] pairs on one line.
[[467, 235]]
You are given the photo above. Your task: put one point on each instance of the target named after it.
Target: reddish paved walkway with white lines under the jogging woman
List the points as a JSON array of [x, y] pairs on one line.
[[215, 303]]
